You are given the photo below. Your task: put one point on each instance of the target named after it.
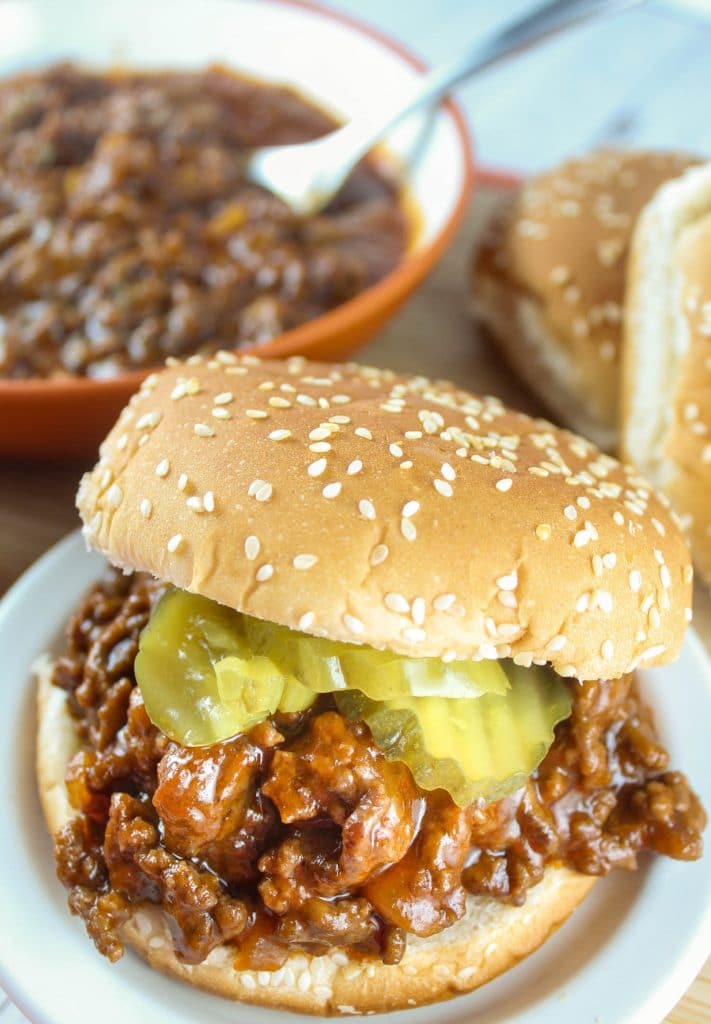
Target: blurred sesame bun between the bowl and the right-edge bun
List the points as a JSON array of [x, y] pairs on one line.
[[549, 280]]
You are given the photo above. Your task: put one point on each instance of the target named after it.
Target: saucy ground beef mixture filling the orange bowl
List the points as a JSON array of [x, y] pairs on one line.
[[130, 233]]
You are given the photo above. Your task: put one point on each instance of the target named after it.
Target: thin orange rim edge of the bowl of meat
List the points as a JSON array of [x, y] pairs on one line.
[[396, 285]]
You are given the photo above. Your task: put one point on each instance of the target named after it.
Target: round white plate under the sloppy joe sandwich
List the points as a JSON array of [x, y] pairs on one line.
[[625, 957]]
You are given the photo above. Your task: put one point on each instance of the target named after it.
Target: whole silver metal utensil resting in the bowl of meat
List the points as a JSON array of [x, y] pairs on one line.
[[308, 176]]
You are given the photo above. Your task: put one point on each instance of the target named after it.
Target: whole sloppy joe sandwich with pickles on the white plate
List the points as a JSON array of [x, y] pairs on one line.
[[353, 724]]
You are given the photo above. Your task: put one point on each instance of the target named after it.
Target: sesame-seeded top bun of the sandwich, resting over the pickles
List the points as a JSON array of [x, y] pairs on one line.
[[371, 507]]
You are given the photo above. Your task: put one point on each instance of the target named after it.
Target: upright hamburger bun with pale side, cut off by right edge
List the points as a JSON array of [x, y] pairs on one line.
[[666, 423]]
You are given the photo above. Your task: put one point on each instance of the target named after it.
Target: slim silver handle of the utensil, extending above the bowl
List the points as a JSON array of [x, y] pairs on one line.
[[541, 23]]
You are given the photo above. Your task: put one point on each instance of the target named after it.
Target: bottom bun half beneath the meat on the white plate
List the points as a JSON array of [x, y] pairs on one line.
[[489, 941]]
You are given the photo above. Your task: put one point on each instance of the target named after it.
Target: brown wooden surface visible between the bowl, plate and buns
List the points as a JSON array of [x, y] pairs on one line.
[[434, 335]]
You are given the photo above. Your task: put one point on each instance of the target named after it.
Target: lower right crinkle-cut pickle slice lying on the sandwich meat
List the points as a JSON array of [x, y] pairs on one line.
[[476, 749]]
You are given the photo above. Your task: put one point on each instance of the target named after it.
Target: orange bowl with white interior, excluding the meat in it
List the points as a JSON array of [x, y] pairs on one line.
[[344, 66]]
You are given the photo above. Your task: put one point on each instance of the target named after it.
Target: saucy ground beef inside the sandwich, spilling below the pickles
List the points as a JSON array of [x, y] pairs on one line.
[[301, 835]]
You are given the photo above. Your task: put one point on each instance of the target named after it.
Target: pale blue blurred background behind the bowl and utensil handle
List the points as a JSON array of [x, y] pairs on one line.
[[638, 78]]
